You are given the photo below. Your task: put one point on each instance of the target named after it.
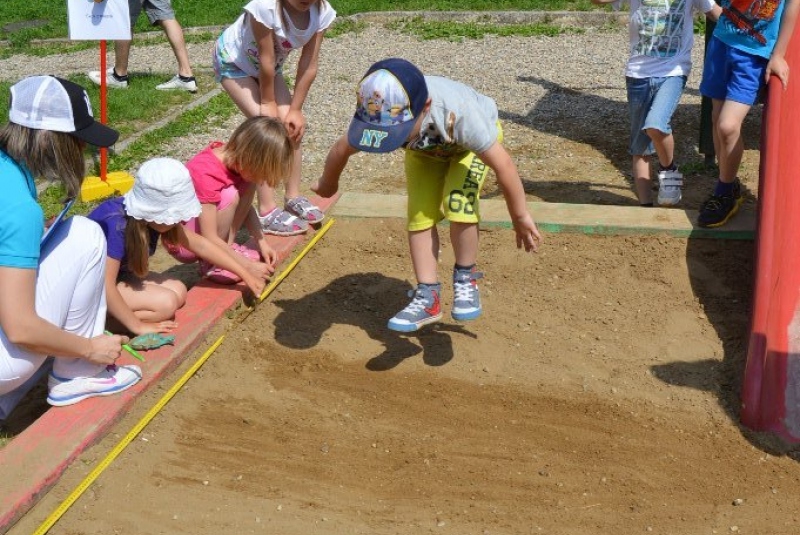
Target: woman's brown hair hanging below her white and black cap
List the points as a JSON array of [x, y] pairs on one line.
[[54, 156]]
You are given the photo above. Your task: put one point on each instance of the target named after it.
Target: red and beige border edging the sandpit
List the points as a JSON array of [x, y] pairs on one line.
[[36, 458]]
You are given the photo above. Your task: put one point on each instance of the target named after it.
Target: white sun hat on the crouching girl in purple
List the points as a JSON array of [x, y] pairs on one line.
[[162, 193]]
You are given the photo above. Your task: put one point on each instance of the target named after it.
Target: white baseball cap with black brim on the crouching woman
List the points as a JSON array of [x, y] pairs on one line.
[[51, 103]]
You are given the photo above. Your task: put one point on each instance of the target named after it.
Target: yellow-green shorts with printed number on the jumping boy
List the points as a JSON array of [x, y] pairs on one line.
[[444, 188]]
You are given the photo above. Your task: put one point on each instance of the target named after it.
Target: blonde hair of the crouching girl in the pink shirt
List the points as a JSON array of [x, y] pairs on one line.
[[260, 147]]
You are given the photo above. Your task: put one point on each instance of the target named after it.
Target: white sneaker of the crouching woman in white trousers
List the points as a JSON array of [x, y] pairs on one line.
[[110, 381]]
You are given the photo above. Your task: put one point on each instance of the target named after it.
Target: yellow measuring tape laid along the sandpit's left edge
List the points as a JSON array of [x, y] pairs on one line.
[[115, 452]]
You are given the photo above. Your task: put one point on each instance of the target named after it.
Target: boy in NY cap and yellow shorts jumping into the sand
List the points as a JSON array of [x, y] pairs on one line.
[[452, 137]]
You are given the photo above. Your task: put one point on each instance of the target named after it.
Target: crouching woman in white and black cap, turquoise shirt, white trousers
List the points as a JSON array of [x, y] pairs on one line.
[[52, 298]]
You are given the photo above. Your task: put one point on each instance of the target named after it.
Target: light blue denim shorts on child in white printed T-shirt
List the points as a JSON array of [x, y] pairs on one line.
[[651, 103]]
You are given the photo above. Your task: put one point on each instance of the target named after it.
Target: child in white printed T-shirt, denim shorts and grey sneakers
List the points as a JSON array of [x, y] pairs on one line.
[[661, 40]]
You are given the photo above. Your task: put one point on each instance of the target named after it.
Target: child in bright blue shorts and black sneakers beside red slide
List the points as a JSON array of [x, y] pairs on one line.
[[748, 46]]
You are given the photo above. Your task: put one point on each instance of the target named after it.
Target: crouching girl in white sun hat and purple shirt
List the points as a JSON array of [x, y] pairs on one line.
[[161, 199]]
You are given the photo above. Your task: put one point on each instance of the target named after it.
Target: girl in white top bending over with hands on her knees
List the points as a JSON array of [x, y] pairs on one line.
[[248, 61]]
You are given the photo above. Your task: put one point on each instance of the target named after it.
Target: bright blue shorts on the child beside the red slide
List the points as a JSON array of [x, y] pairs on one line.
[[730, 74]]
